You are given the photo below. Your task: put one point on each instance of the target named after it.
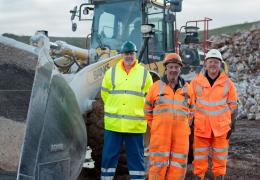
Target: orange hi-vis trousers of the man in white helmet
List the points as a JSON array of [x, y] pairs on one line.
[[201, 149]]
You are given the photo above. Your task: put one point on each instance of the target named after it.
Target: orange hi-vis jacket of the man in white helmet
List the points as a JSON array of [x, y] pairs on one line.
[[213, 105]]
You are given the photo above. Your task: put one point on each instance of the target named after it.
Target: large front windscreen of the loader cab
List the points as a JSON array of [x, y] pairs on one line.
[[115, 22]]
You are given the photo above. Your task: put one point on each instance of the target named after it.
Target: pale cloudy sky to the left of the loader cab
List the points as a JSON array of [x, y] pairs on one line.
[[27, 16]]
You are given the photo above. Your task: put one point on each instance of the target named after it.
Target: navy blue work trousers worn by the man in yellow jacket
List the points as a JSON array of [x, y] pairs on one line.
[[113, 141]]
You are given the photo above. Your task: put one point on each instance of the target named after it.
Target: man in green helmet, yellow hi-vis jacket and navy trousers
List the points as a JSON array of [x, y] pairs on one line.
[[123, 91]]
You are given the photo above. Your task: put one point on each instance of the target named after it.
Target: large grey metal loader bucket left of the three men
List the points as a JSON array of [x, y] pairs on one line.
[[55, 139]]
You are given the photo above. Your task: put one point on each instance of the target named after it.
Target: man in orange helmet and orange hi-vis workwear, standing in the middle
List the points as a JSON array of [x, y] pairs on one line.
[[168, 112]]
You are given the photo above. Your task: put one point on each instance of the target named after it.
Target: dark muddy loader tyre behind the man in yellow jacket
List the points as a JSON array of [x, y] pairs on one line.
[[95, 131]]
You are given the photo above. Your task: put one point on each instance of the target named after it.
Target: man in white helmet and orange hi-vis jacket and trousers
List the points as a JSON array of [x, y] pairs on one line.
[[215, 103]]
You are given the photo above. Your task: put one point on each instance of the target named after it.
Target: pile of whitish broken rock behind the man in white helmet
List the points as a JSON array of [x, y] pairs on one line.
[[241, 51]]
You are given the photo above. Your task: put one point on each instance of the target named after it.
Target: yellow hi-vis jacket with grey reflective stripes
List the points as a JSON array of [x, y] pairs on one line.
[[123, 95]]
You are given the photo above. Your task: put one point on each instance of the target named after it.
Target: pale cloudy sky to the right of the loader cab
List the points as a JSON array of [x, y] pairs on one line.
[[222, 12]]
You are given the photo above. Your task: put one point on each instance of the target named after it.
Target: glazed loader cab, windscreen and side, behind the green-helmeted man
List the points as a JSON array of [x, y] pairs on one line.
[[117, 21]]
